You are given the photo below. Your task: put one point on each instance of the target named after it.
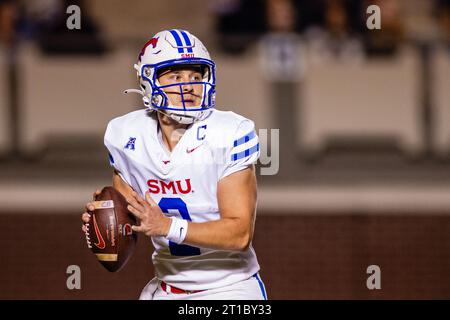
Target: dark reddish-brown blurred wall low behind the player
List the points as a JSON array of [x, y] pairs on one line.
[[307, 256]]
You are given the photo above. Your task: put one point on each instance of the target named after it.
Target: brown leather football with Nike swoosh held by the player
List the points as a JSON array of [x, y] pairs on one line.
[[108, 233]]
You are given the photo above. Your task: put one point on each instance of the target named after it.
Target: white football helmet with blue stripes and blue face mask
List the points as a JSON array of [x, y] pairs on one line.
[[173, 48]]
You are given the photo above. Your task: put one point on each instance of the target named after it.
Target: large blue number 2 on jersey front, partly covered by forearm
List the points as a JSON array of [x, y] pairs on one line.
[[167, 204]]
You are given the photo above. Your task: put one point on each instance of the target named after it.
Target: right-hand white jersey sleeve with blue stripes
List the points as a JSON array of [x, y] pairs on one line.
[[242, 150]]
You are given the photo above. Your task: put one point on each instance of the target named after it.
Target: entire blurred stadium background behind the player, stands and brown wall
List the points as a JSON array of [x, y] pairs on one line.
[[364, 119]]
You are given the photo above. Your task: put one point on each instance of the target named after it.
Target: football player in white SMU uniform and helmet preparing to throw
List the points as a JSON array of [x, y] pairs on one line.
[[187, 172]]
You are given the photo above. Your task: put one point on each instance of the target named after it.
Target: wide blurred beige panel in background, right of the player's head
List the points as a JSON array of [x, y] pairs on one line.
[[377, 99]]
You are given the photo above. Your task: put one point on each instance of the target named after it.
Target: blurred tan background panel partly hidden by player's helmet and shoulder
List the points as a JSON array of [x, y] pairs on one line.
[[73, 96]]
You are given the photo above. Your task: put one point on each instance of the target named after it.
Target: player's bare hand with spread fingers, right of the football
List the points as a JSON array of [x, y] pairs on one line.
[[153, 221]]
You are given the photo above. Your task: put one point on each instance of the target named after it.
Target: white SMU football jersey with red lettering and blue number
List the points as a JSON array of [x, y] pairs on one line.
[[184, 184]]
